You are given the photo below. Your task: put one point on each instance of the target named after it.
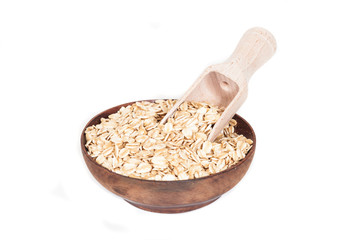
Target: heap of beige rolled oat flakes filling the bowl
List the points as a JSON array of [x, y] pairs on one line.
[[131, 142]]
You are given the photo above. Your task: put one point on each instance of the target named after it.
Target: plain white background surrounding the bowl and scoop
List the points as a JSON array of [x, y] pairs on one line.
[[62, 62]]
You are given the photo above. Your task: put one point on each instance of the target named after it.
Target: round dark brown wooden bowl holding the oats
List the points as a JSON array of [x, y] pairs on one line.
[[170, 196]]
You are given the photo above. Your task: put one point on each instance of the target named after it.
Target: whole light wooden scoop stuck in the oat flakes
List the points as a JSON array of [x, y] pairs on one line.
[[226, 84]]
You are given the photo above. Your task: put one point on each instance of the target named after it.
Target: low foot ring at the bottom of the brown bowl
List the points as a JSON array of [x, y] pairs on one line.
[[171, 209]]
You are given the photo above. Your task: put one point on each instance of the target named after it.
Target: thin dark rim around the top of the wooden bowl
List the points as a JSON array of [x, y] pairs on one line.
[[86, 155]]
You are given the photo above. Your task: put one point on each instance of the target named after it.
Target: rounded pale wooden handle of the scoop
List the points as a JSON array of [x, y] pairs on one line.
[[255, 47]]
